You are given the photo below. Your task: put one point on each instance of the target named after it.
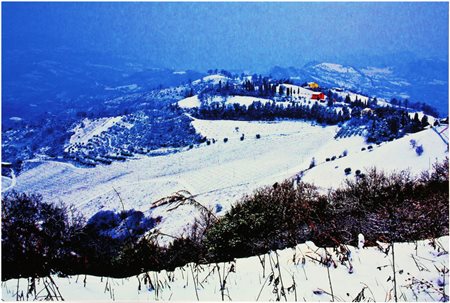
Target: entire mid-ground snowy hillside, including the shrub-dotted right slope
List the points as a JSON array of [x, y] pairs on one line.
[[223, 172]]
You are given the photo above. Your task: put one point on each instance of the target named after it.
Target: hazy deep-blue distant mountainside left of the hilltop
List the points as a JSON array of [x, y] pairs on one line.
[[37, 81]]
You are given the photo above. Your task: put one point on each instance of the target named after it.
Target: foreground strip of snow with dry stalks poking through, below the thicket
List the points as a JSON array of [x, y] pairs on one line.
[[294, 274]]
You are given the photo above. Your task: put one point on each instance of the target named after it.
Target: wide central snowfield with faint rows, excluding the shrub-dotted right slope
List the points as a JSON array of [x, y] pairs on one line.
[[218, 173]]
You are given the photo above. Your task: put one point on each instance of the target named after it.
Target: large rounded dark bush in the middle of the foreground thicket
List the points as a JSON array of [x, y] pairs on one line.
[[272, 218]]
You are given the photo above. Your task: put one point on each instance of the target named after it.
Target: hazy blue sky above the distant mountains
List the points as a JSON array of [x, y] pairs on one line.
[[229, 35]]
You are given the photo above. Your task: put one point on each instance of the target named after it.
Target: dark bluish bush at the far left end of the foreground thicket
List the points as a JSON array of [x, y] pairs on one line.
[[36, 236]]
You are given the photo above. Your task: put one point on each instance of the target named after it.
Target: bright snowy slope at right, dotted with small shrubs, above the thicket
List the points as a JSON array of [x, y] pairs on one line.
[[392, 156]]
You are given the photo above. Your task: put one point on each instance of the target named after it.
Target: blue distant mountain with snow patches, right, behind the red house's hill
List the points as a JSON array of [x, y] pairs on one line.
[[419, 80]]
